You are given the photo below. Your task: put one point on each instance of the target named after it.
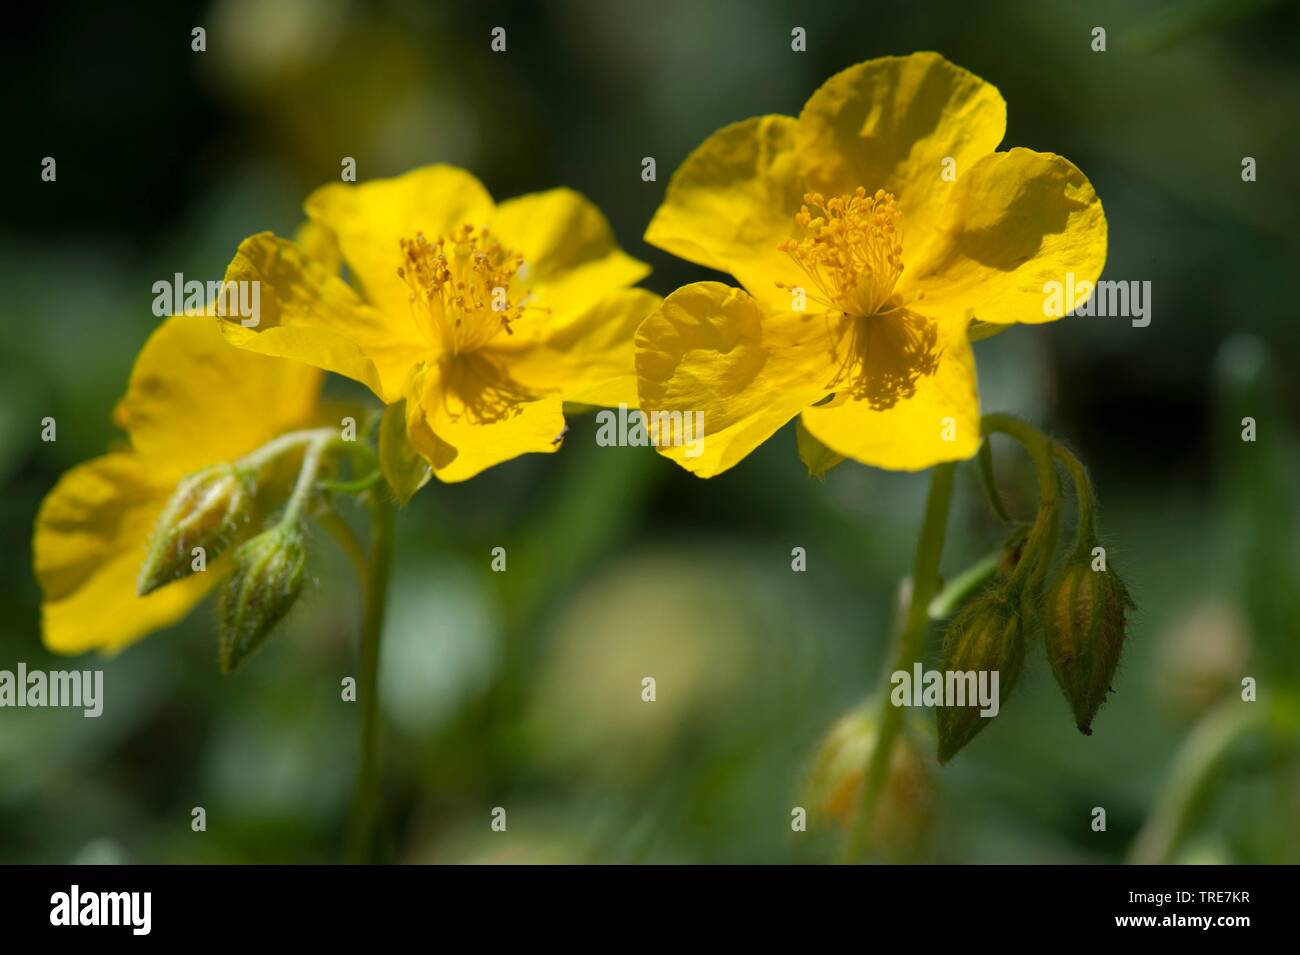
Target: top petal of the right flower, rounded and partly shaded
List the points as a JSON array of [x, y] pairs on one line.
[[891, 124]]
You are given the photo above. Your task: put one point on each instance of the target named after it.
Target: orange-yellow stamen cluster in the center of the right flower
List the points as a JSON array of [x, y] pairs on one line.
[[852, 250]]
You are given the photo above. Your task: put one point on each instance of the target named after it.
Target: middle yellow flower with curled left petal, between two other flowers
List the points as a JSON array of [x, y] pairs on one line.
[[484, 318]]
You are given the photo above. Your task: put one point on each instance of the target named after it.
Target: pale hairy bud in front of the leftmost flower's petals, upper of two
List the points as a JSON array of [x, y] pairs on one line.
[[206, 511]]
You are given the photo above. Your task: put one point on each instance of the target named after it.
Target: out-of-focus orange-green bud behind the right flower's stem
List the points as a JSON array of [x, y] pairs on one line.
[[833, 793]]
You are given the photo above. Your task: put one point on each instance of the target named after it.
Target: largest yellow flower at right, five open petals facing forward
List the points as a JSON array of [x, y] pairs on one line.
[[887, 210]]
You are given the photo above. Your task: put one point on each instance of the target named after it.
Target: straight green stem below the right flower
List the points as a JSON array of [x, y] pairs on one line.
[[912, 644]]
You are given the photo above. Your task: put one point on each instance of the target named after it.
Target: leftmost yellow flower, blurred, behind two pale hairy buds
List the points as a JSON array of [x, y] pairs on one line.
[[193, 402]]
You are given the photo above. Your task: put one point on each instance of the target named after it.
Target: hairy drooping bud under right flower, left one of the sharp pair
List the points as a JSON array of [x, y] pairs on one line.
[[986, 639]]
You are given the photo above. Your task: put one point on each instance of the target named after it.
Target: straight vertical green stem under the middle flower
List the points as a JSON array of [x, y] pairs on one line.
[[366, 809]]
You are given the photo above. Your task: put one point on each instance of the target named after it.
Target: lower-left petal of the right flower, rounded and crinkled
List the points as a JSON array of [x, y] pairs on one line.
[[713, 350]]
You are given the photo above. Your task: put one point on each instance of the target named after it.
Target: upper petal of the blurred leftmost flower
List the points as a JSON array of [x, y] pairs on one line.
[[194, 400]]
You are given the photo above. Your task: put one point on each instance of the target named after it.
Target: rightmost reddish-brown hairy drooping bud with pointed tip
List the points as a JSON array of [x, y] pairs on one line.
[[1085, 623]]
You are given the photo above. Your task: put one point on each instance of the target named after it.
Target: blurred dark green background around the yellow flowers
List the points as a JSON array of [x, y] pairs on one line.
[[523, 689]]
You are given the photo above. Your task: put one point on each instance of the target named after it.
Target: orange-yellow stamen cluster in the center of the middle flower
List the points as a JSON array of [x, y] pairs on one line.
[[461, 288]]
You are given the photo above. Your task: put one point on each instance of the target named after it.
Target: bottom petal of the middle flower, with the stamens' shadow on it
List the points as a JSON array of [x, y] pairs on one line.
[[475, 410]]
